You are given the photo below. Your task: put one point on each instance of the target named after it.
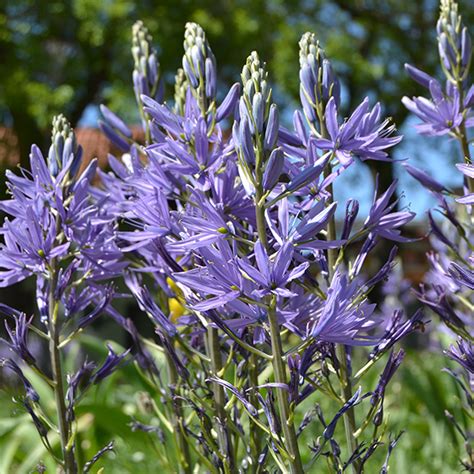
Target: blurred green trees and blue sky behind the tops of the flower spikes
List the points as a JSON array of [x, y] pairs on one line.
[[70, 56]]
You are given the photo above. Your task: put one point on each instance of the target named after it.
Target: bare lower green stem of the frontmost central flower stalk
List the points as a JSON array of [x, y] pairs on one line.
[[286, 417]]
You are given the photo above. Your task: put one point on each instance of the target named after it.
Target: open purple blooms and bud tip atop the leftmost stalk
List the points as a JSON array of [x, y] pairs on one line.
[[53, 215]]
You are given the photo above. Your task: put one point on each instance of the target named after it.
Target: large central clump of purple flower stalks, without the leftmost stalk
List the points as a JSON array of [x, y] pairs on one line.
[[238, 261]]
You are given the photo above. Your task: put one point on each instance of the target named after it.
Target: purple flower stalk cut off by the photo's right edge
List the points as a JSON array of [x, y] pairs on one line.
[[448, 290]]
